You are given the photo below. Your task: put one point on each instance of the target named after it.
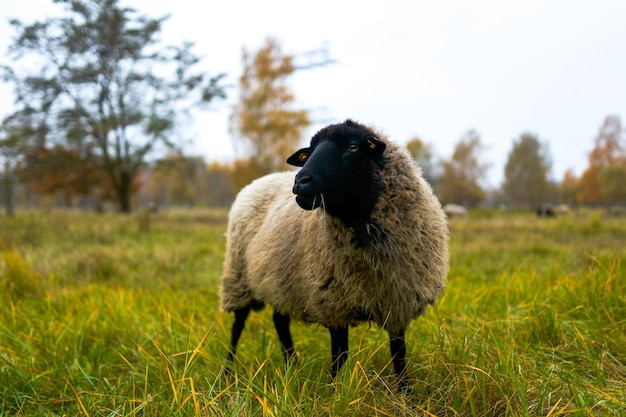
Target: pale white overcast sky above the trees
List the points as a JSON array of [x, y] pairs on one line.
[[433, 69]]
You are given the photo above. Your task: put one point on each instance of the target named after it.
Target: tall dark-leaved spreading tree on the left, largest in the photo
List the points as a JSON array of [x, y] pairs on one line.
[[103, 87]]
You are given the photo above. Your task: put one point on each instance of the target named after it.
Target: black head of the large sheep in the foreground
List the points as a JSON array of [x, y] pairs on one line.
[[340, 172]]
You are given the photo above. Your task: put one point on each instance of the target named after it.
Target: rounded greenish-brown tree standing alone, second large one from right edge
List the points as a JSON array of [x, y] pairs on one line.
[[526, 172]]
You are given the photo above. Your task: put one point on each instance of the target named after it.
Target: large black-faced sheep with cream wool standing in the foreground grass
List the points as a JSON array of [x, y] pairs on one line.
[[364, 239]]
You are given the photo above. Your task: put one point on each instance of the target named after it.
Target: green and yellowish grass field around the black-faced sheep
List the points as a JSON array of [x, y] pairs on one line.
[[111, 315]]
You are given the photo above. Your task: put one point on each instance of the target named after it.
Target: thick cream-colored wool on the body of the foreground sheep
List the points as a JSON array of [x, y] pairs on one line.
[[306, 263]]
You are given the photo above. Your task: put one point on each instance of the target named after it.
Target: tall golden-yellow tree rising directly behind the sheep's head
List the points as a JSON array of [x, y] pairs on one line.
[[265, 123]]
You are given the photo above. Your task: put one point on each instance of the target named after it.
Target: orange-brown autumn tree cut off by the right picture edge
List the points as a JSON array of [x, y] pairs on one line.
[[603, 180]]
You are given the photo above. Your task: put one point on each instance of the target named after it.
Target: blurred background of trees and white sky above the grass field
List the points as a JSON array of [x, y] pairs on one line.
[[119, 105]]
